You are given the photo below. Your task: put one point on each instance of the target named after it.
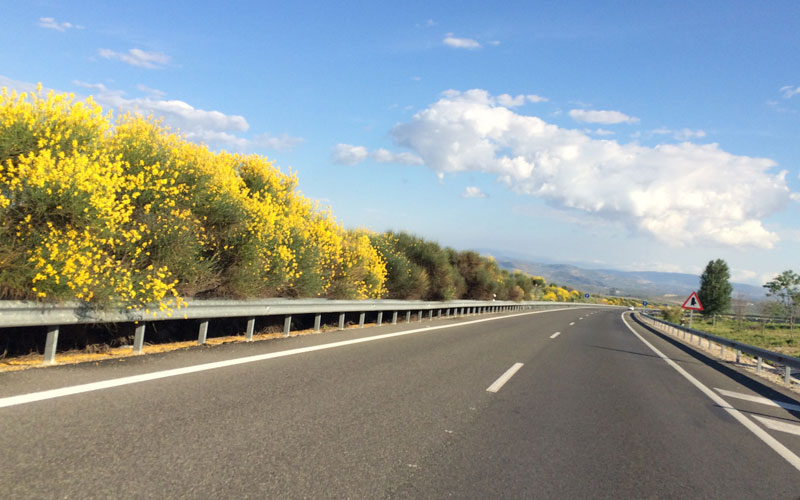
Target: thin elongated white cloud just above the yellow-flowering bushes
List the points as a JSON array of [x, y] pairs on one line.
[[214, 128]]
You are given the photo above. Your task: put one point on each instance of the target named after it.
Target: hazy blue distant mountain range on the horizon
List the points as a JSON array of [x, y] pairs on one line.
[[654, 286]]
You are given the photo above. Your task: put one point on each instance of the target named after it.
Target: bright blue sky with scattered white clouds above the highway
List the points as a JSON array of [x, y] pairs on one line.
[[625, 135]]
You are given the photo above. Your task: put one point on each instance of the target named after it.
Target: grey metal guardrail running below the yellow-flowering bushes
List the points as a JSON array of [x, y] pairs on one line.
[[52, 316]]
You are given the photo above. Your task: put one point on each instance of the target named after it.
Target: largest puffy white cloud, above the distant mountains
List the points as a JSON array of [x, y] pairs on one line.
[[681, 194]]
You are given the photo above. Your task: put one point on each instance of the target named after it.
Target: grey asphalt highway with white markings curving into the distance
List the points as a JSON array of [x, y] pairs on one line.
[[561, 404]]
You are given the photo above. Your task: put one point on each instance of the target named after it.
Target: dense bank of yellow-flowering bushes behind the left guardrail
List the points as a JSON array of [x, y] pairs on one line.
[[123, 211]]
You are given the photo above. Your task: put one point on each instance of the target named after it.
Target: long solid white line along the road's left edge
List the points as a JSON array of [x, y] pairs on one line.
[[135, 379]]
